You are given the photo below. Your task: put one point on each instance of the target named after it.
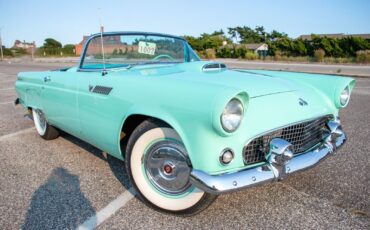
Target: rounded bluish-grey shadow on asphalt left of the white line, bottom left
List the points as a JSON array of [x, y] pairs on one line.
[[58, 203]]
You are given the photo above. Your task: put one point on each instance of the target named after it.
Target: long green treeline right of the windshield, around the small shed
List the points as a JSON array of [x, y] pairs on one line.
[[279, 43]]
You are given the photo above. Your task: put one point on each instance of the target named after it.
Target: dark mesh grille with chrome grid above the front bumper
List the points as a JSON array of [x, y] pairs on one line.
[[302, 136]]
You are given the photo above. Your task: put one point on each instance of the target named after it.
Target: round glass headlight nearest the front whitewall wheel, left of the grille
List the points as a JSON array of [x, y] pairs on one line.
[[232, 115]]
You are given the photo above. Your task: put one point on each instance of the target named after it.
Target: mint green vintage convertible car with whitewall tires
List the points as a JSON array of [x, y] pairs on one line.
[[188, 130]]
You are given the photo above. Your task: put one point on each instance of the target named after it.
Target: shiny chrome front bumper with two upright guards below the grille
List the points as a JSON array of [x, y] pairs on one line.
[[280, 164]]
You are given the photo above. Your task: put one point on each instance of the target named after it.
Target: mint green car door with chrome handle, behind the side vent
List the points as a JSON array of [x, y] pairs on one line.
[[59, 99]]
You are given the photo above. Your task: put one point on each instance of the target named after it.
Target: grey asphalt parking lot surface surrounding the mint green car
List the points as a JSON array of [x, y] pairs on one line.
[[66, 183]]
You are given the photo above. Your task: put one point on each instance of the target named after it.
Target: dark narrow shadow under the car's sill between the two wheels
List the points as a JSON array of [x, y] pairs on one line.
[[117, 166]]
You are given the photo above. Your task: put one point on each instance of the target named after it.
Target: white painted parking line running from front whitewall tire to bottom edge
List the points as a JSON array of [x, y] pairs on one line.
[[108, 210]]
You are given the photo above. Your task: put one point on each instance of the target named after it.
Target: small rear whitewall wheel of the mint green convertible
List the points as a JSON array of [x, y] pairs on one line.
[[43, 128]]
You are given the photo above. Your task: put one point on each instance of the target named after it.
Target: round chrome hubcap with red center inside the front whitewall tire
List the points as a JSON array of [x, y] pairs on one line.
[[167, 167]]
